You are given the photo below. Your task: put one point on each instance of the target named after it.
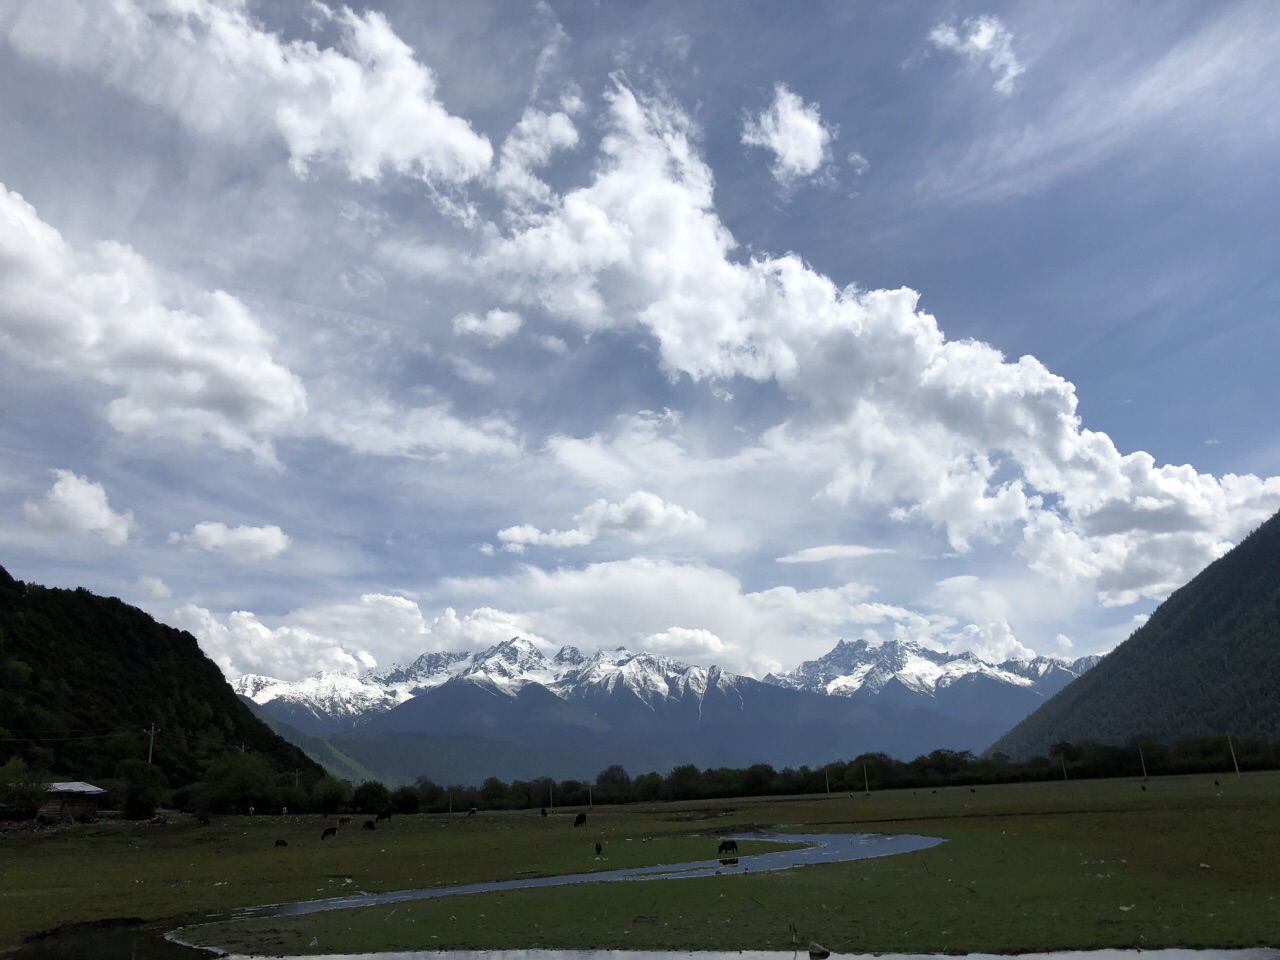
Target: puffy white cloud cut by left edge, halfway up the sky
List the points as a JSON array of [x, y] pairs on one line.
[[182, 364]]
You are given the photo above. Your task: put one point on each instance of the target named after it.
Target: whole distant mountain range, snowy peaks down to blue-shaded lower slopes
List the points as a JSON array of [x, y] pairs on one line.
[[514, 712]]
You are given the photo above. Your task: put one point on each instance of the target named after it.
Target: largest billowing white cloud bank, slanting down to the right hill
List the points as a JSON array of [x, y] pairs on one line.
[[948, 433]]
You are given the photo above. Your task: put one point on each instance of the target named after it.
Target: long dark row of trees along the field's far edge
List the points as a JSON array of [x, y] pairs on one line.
[[240, 783]]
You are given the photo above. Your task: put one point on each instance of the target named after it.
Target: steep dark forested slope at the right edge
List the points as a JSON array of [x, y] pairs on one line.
[[1206, 662]]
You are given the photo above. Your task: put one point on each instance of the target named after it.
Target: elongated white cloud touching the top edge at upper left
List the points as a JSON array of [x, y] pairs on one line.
[[367, 106]]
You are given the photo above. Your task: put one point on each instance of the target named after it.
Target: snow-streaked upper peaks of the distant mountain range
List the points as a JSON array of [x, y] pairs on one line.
[[633, 692]]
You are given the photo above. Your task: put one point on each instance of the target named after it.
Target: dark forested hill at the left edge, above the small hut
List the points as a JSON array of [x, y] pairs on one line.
[[81, 676]]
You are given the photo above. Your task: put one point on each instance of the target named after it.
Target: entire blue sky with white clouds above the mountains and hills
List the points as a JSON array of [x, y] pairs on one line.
[[339, 335]]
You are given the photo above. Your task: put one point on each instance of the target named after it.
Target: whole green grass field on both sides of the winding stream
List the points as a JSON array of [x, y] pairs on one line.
[[1027, 867]]
